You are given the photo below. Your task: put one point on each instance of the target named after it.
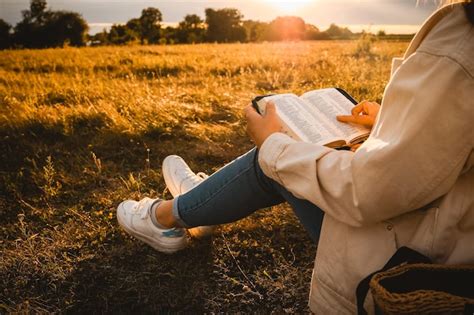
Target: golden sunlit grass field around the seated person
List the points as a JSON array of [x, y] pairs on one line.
[[83, 129]]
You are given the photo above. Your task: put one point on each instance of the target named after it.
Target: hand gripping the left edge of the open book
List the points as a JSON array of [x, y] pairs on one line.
[[259, 127]]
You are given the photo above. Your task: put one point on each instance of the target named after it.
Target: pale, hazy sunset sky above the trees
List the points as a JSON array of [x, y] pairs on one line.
[[394, 16]]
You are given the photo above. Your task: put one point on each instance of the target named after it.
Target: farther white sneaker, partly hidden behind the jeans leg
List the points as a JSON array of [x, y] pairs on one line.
[[179, 179]]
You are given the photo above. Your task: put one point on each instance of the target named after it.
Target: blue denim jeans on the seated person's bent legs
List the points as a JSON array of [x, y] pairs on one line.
[[236, 191]]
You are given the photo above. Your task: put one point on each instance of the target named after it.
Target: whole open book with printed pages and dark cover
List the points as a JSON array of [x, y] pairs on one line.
[[311, 117]]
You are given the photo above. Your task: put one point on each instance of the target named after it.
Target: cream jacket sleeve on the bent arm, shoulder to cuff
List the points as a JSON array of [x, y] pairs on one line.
[[416, 151]]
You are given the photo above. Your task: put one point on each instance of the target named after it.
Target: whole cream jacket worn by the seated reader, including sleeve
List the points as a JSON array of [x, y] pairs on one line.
[[410, 184]]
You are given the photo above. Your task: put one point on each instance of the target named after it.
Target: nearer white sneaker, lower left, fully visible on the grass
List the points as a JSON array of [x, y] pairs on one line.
[[135, 218]]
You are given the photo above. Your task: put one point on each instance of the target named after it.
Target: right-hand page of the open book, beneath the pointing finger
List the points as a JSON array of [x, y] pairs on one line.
[[330, 103]]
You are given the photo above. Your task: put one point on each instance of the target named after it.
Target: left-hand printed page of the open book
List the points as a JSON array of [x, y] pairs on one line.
[[302, 118]]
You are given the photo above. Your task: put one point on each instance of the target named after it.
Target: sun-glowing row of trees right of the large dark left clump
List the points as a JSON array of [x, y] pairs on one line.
[[220, 25]]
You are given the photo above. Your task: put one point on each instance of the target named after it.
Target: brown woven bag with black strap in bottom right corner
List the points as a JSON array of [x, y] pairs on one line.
[[410, 284]]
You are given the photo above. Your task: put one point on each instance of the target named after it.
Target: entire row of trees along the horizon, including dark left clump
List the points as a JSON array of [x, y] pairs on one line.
[[41, 28]]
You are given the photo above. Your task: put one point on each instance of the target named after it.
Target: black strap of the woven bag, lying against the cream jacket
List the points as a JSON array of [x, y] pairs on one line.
[[403, 255]]
